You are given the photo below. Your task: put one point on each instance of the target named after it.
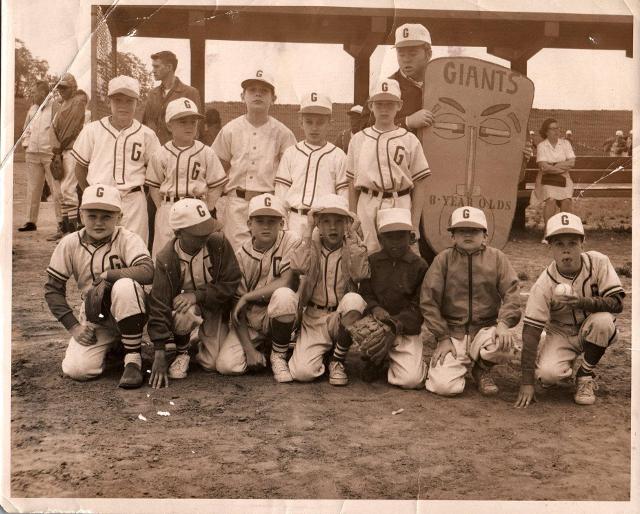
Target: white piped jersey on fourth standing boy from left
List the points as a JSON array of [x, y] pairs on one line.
[[307, 173]]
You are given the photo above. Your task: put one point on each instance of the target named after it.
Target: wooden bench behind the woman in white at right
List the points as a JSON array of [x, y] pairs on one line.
[[587, 170]]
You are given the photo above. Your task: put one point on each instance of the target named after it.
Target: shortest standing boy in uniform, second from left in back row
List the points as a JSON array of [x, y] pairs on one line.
[[182, 168]]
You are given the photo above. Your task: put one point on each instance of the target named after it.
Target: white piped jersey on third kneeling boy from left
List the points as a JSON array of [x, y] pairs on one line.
[[261, 268]]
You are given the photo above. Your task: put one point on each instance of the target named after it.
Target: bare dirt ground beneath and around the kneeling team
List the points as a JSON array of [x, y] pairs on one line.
[[248, 437]]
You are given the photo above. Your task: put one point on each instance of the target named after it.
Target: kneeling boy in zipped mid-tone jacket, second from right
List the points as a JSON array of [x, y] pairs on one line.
[[470, 300]]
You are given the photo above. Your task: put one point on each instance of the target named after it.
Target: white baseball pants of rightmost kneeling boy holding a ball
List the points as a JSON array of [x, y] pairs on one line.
[[559, 350]]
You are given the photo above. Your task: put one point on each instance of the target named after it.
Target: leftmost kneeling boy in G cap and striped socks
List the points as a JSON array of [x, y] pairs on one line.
[[101, 251]]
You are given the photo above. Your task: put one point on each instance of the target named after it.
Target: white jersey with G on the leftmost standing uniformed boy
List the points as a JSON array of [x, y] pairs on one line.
[[116, 158]]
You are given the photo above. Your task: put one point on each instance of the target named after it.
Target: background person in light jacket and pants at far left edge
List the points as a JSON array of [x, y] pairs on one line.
[[37, 144]]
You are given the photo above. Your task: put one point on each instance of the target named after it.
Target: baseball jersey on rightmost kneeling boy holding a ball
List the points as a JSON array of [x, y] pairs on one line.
[[597, 277]]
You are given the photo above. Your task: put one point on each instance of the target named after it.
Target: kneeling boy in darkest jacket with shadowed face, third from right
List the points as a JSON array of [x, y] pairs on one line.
[[393, 297]]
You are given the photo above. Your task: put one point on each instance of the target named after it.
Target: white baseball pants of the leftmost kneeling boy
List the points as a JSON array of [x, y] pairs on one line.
[[86, 362]]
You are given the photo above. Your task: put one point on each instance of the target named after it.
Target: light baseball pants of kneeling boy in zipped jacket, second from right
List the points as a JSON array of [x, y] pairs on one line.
[[448, 379]]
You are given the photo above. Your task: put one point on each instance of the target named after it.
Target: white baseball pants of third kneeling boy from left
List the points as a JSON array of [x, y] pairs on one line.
[[232, 360]]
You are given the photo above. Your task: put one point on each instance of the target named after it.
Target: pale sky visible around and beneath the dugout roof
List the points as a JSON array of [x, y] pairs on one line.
[[566, 79]]
